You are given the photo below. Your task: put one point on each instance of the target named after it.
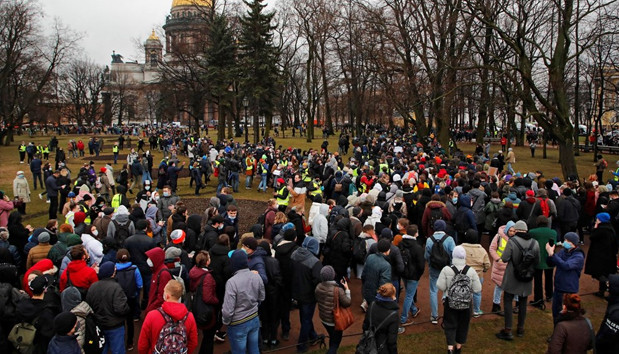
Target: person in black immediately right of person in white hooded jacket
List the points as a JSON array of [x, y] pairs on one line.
[[339, 245]]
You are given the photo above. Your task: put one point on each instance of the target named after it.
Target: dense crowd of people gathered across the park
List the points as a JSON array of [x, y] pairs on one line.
[[126, 247]]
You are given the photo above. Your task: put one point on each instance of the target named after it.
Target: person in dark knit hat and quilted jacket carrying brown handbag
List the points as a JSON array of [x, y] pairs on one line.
[[326, 292]]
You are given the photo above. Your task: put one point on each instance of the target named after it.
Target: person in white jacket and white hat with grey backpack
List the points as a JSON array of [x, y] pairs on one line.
[[457, 315]]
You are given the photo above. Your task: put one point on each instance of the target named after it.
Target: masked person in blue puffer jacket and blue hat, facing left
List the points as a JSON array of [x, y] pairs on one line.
[[569, 263]]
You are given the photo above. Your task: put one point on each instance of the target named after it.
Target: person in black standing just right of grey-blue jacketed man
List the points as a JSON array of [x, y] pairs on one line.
[[269, 308]]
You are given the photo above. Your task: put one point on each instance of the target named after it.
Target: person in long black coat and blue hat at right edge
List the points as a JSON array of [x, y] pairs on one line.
[[602, 256]]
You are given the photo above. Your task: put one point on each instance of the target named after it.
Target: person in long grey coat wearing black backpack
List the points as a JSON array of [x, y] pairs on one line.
[[518, 277]]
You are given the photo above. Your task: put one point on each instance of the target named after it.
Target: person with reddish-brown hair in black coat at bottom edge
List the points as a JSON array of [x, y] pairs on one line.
[[384, 308]]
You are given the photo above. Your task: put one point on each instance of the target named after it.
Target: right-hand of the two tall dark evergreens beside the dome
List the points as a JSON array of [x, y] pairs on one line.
[[258, 63]]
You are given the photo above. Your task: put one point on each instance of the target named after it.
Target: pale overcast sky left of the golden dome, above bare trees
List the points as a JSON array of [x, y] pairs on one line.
[[108, 25]]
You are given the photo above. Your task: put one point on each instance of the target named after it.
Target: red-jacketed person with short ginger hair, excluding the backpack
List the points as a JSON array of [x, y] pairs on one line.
[[154, 320]]
